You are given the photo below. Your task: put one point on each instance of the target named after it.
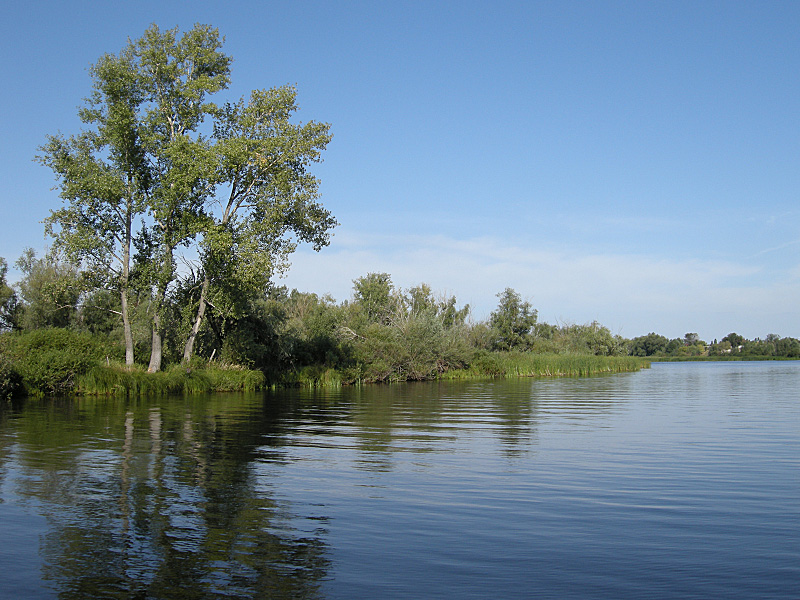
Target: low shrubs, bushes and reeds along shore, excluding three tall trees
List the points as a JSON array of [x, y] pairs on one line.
[[60, 339]]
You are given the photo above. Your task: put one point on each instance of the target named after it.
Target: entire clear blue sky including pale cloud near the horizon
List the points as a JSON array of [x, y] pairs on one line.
[[635, 163]]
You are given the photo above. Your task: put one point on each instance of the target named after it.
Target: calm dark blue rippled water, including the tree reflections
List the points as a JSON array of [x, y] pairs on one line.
[[682, 481]]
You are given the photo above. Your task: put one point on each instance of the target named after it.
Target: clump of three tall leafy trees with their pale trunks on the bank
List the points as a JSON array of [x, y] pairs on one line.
[[160, 166]]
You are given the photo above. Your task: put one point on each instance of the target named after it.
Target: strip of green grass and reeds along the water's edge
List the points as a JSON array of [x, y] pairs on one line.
[[61, 362]]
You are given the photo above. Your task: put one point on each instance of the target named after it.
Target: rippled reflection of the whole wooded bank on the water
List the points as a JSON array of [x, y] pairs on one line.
[[197, 497]]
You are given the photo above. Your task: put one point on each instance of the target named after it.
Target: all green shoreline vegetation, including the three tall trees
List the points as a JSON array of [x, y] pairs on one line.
[[176, 216]]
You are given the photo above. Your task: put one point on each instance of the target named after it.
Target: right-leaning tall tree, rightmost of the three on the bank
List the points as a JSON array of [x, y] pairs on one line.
[[263, 162]]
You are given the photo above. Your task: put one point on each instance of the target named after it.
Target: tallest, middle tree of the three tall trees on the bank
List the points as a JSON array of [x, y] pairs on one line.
[[176, 75]]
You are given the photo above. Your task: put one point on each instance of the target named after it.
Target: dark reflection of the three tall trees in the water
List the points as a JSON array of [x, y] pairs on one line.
[[161, 502]]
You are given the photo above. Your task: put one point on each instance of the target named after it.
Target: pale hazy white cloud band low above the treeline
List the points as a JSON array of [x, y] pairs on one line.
[[631, 294]]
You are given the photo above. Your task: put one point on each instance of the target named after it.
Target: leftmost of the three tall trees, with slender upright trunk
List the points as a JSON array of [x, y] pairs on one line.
[[104, 180]]
